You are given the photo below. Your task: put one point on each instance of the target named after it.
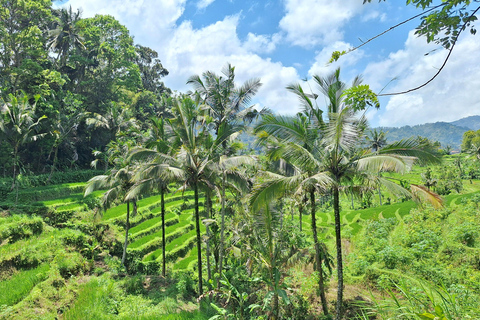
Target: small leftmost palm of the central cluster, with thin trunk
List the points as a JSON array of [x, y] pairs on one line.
[[117, 183]]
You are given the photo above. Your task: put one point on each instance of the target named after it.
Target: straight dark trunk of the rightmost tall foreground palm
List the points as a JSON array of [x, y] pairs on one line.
[[338, 240]]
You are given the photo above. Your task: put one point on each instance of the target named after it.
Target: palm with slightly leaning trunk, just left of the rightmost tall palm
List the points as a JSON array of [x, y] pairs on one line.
[[295, 142]]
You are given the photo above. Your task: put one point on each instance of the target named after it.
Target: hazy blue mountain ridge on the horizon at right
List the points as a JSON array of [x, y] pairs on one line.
[[447, 133]]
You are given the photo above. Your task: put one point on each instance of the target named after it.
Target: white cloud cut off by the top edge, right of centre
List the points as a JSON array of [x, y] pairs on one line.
[[312, 22]]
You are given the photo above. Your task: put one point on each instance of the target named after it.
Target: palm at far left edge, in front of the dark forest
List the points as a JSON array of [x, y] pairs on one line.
[[18, 125]]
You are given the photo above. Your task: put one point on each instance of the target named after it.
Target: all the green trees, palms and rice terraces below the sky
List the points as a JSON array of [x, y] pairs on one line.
[[180, 221]]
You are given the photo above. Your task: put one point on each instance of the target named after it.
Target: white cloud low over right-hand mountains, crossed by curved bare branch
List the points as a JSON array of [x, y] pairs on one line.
[[451, 96]]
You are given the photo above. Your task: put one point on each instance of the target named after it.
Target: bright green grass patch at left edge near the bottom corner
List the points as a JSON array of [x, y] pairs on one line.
[[19, 285]]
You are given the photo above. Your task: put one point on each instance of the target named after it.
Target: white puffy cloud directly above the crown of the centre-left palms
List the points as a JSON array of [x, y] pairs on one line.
[[193, 51]]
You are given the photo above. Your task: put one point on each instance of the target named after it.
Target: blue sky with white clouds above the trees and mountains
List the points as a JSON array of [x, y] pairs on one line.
[[289, 41]]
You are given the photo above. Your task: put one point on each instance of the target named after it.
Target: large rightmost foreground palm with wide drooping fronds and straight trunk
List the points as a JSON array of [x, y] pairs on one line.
[[332, 153]]
